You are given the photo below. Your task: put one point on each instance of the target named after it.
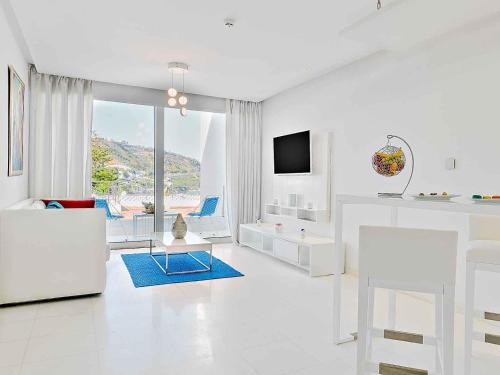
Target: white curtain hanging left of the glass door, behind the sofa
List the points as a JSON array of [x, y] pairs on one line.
[[60, 136]]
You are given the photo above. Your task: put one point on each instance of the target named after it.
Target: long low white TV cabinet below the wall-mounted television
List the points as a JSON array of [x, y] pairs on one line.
[[312, 253]]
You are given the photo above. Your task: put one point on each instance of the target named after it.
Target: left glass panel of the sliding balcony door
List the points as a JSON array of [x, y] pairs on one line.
[[123, 166]]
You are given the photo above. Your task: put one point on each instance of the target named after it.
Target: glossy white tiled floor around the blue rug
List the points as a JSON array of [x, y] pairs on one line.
[[274, 320]]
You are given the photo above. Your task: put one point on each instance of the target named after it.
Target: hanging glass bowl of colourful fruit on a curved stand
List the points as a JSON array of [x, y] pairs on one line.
[[390, 161]]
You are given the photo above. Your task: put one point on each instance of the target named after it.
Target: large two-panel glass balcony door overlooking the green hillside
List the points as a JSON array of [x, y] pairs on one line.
[[123, 176]]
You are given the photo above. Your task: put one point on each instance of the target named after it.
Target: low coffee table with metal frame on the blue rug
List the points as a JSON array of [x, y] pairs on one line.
[[172, 246]]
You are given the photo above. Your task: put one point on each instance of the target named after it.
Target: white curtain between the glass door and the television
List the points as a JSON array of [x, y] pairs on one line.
[[243, 163]]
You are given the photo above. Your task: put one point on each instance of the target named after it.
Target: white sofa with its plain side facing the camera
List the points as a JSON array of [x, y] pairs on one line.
[[51, 253]]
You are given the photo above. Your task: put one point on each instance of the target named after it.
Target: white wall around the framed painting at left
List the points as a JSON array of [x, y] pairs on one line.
[[12, 189]]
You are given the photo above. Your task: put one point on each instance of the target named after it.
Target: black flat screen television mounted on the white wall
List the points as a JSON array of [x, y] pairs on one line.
[[292, 153]]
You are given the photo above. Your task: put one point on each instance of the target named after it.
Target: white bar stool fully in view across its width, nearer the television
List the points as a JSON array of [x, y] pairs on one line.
[[417, 260]]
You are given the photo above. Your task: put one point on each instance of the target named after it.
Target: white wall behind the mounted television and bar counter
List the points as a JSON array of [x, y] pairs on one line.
[[443, 97]]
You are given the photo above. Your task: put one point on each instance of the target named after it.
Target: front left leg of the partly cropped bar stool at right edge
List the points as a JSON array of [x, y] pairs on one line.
[[469, 315]]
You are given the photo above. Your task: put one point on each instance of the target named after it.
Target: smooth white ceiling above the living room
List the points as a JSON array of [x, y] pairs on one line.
[[274, 45]]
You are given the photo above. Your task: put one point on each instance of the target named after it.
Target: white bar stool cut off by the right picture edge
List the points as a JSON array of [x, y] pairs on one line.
[[483, 255]]
